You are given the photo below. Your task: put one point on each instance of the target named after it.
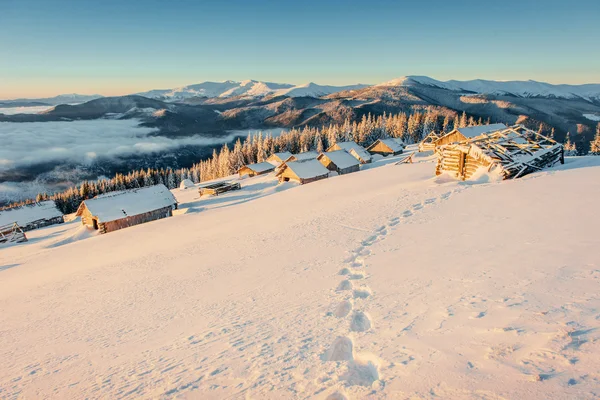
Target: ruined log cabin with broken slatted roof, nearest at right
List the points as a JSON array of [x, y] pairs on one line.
[[512, 152]]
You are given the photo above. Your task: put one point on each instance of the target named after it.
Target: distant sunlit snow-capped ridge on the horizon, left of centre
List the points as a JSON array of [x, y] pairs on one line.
[[249, 88]]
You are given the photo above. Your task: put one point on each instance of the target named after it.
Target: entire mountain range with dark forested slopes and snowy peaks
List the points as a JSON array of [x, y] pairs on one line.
[[221, 106]]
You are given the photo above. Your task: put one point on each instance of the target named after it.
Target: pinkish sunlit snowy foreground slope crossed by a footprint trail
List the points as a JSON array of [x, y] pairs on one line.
[[450, 290]]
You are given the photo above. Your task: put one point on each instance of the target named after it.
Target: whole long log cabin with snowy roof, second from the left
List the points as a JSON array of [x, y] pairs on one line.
[[117, 210]]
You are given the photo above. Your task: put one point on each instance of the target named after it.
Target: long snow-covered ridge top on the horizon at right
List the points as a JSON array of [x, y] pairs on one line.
[[517, 88]]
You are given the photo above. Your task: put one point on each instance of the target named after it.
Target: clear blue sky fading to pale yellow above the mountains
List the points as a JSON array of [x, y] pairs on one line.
[[48, 47]]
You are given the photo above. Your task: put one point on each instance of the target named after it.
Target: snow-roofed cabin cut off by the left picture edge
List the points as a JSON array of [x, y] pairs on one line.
[[32, 216]]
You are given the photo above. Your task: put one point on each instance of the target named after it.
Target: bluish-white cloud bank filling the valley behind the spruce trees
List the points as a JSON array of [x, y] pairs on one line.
[[55, 149]]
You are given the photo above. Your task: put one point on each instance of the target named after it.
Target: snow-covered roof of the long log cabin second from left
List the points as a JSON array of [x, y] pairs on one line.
[[126, 203]]
